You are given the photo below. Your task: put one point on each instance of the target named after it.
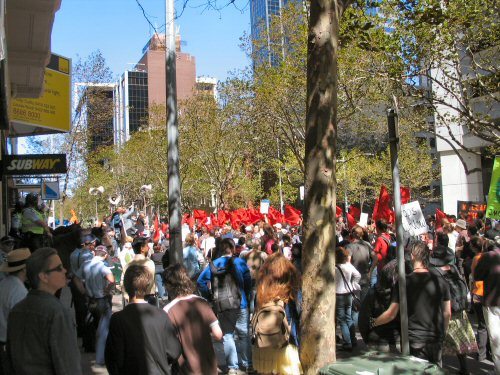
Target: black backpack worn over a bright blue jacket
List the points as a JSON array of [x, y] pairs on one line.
[[226, 294]]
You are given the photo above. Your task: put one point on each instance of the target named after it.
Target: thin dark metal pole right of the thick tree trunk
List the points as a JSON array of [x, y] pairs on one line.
[[403, 307]]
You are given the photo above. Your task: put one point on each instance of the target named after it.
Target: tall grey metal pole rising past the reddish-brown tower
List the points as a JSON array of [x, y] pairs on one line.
[[174, 187]]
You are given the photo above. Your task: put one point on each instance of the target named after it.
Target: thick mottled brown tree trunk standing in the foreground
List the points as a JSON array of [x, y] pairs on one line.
[[318, 319]]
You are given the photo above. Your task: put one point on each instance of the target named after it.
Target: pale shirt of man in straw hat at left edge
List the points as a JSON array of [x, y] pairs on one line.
[[12, 291]]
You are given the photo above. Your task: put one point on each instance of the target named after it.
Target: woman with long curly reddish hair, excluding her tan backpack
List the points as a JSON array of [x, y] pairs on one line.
[[279, 280]]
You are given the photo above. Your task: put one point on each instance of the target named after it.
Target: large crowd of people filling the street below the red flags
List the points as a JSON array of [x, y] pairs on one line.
[[241, 288]]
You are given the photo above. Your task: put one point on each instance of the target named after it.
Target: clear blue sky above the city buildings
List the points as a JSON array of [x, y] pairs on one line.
[[119, 30]]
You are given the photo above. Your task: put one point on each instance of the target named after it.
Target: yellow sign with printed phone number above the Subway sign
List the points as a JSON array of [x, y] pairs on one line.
[[53, 109]]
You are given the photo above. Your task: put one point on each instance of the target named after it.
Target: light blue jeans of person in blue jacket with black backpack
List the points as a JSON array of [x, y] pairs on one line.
[[239, 354]]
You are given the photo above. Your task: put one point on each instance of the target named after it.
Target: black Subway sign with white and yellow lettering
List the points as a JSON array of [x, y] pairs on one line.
[[23, 165]]
